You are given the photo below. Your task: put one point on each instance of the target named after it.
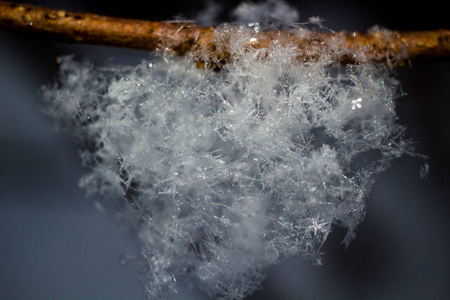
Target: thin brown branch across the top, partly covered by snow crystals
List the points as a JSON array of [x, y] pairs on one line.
[[186, 37]]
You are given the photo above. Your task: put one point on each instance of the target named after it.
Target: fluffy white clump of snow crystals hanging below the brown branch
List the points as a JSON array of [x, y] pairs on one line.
[[222, 175]]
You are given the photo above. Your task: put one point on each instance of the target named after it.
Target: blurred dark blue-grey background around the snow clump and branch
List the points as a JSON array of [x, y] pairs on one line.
[[54, 243]]
